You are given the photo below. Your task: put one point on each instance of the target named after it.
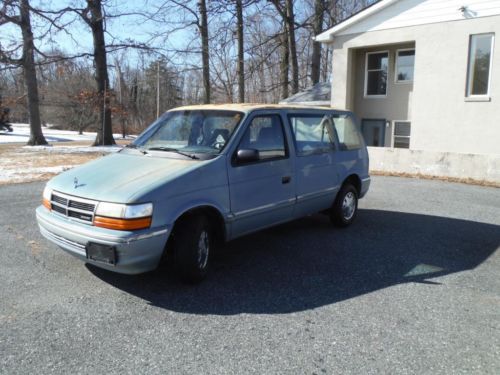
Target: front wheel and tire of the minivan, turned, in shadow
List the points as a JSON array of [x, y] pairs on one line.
[[193, 242]]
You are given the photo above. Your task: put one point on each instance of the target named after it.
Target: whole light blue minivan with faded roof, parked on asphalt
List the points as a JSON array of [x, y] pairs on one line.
[[202, 175]]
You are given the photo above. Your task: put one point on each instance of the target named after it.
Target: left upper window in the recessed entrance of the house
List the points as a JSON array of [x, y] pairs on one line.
[[377, 64]]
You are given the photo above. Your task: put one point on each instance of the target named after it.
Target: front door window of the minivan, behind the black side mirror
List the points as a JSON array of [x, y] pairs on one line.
[[266, 135]]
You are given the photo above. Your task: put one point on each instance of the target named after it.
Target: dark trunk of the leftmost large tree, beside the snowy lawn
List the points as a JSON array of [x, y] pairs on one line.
[[29, 71]]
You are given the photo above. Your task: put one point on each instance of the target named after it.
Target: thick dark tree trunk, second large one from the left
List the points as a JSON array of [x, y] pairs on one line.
[[95, 21]]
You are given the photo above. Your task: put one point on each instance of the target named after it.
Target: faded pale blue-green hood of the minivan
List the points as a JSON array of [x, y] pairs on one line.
[[121, 178]]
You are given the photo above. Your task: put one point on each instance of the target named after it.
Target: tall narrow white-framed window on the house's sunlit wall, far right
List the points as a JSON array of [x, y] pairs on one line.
[[479, 70]]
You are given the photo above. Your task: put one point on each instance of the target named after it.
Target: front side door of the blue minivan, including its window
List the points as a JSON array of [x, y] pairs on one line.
[[262, 191]]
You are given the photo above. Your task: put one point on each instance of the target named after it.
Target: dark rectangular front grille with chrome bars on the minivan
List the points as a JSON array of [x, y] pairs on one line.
[[76, 208]]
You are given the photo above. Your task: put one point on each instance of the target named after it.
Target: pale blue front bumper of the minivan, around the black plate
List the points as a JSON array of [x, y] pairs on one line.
[[137, 252]]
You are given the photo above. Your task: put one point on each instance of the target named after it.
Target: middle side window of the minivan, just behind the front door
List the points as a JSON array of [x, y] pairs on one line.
[[313, 134]]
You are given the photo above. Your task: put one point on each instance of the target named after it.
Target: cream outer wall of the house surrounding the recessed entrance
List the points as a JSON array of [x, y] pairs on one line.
[[442, 119]]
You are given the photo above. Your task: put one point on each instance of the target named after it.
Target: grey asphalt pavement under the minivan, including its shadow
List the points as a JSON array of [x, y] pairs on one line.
[[412, 287]]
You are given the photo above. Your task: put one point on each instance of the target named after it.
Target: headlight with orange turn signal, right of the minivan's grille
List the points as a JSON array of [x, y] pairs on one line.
[[123, 216]]
